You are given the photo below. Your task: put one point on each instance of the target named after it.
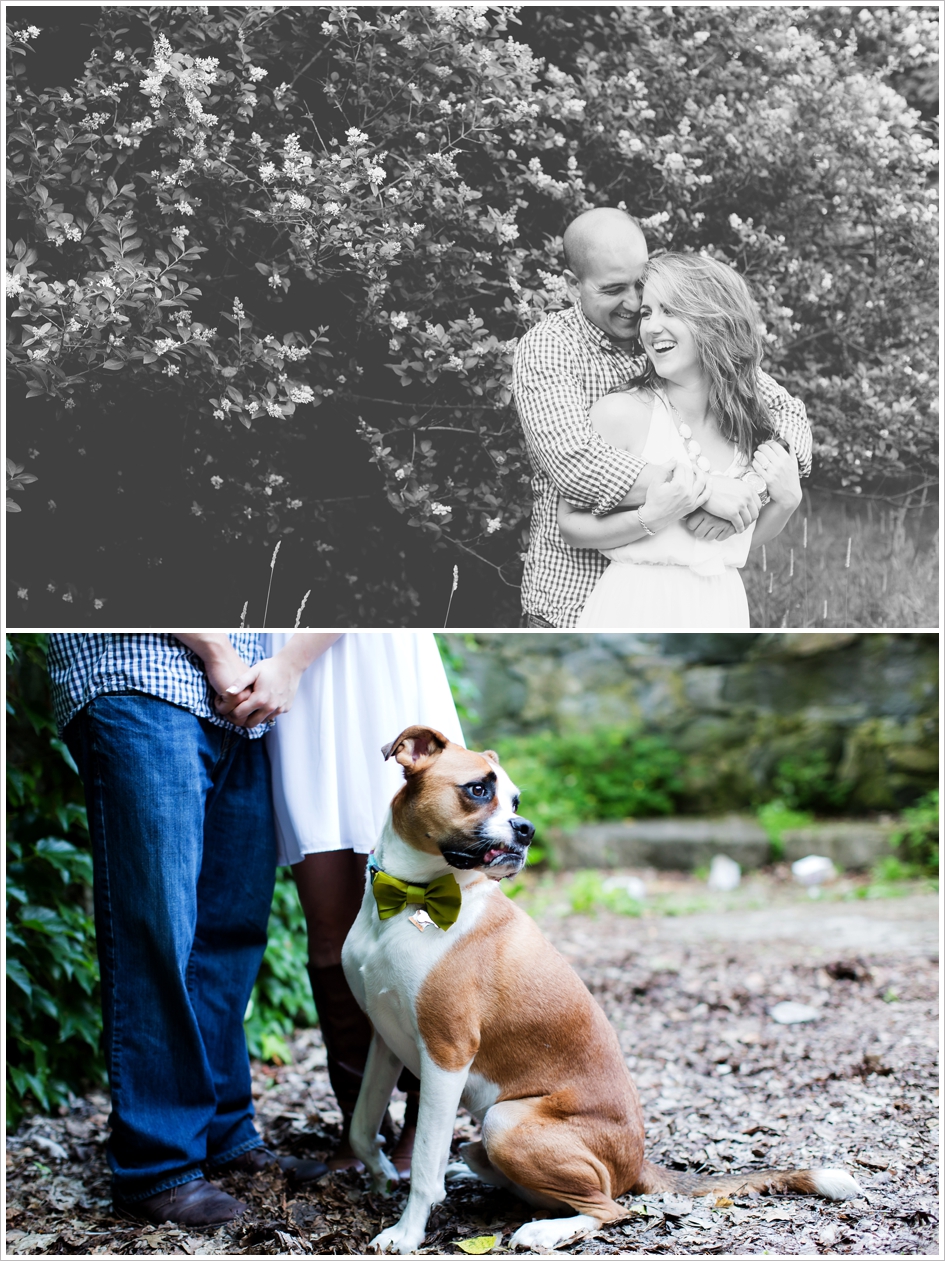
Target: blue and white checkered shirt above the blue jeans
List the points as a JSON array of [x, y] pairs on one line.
[[85, 666]]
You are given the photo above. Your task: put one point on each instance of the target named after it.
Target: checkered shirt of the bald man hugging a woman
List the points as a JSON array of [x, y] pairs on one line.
[[562, 368]]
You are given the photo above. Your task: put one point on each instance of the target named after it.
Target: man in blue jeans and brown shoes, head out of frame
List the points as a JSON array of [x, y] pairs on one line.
[[184, 849]]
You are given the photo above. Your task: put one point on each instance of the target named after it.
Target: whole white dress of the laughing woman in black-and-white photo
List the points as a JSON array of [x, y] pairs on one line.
[[672, 581]]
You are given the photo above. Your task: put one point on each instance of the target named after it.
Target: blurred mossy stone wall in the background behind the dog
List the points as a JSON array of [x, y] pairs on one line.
[[828, 722]]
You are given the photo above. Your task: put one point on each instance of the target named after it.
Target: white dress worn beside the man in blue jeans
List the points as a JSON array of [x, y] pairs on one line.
[[331, 785]]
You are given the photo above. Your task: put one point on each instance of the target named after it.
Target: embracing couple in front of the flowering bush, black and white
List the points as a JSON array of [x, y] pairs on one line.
[[655, 475]]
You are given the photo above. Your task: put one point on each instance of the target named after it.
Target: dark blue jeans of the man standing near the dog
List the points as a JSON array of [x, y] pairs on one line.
[[181, 819]]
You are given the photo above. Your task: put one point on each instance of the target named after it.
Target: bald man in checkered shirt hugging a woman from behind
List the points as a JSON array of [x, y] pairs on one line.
[[562, 368]]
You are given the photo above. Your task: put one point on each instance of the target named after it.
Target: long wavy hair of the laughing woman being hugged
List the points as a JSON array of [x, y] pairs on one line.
[[717, 306]]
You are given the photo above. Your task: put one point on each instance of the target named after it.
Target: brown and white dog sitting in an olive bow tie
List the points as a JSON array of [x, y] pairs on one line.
[[488, 1014]]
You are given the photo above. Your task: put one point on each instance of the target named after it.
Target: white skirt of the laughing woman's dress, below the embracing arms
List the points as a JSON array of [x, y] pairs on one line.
[[666, 597]]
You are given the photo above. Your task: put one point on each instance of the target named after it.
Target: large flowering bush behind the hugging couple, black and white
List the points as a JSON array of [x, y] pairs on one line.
[[340, 221]]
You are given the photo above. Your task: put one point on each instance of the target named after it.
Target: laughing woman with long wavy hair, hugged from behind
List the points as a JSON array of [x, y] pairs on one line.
[[697, 409]]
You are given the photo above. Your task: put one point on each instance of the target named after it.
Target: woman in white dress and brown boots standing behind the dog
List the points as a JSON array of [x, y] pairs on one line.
[[331, 794]]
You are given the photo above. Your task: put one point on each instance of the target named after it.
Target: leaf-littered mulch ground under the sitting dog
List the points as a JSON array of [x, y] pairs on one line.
[[724, 1088]]
